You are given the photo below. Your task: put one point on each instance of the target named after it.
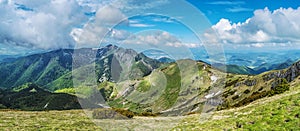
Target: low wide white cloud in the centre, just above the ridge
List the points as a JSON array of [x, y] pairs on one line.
[[159, 40]]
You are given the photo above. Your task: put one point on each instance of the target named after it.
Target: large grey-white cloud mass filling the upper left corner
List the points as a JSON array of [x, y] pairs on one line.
[[39, 24]]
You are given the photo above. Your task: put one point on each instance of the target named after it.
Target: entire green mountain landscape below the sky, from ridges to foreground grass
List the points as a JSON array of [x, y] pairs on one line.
[[121, 86]]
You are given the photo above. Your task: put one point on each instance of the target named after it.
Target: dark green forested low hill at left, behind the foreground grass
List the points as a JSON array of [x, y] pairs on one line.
[[30, 97]]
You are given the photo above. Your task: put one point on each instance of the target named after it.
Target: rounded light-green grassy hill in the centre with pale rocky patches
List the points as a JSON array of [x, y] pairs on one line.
[[169, 90]]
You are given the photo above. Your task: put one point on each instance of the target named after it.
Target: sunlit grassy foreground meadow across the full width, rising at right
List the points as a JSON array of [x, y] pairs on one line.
[[279, 112]]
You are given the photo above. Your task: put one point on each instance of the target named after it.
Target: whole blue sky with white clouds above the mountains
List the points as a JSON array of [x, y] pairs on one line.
[[28, 27]]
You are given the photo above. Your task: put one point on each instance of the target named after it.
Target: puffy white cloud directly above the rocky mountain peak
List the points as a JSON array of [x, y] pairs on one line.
[[94, 32]]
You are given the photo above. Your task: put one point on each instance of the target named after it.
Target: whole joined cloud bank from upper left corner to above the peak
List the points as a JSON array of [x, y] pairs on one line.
[[52, 24]]
